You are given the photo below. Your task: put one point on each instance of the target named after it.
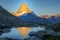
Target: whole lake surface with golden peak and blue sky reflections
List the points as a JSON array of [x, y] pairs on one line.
[[20, 32]]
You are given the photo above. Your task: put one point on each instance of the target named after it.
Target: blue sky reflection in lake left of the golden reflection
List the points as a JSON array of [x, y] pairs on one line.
[[13, 34]]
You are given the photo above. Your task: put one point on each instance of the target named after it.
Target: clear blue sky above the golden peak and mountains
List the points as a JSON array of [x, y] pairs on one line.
[[40, 7]]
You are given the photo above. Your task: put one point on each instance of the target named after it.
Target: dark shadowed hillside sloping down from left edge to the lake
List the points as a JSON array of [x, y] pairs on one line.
[[7, 21]]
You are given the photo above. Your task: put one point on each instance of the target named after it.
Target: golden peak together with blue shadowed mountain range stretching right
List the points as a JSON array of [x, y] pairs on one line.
[[28, 16]]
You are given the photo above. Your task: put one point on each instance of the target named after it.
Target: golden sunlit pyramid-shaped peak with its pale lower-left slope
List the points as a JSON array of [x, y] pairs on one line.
[[22, 10]]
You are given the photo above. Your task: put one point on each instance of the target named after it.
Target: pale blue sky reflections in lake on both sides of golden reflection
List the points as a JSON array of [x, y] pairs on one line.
[[15, 34]]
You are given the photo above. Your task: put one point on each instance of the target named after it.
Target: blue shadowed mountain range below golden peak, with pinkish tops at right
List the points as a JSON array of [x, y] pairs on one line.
[[32, 17]]
